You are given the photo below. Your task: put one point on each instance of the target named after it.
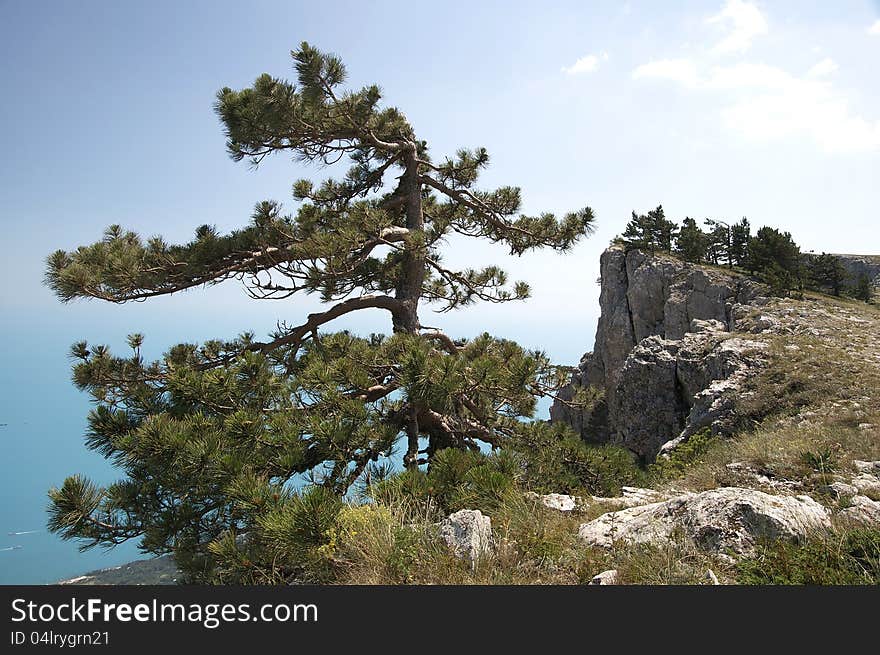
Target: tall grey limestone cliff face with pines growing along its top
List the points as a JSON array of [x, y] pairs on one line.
[[663, 353]]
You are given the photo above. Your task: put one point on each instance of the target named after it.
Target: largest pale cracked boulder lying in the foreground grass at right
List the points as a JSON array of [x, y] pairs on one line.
[[720, 520]]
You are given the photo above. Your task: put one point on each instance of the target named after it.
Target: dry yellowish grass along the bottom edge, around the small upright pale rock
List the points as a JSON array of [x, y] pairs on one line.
[[398, 544]]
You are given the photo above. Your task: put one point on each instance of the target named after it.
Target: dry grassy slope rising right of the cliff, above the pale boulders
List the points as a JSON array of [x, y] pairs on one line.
[[800, 418]]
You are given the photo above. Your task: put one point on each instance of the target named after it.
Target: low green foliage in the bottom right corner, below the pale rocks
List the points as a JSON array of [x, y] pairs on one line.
[[851, 557]]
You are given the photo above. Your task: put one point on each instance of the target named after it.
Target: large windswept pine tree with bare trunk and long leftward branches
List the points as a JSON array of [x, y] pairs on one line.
[[211, 438]]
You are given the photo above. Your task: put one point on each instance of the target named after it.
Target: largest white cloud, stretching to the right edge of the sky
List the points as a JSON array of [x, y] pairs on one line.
[[765, 103]]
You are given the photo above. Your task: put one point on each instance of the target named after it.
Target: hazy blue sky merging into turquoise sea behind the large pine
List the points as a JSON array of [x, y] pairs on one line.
[[719, 109]]
